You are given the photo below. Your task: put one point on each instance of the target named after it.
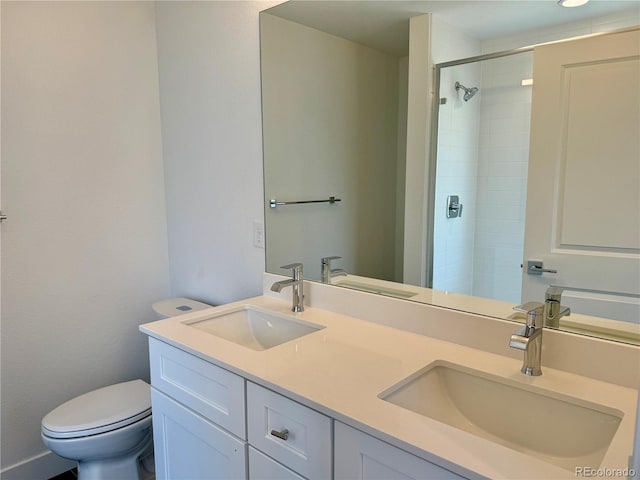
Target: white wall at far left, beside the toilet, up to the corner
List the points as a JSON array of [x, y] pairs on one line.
[[84, 251]]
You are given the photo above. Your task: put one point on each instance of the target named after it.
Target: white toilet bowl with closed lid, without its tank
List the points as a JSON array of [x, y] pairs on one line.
[[107, 431]]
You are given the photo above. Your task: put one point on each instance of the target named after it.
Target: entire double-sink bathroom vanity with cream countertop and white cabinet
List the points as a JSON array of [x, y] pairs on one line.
[[253, 390]]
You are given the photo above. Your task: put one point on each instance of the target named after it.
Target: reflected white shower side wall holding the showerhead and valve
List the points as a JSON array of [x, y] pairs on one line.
[[457, 166]]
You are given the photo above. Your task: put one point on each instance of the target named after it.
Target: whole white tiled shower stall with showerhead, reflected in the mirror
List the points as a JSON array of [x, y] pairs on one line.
[[480, 175]]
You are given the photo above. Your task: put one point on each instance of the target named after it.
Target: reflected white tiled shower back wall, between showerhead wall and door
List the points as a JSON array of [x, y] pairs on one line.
[[503, 149]]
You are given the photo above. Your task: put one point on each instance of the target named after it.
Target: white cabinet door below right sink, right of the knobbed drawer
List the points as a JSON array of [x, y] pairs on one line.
[[361, 456]]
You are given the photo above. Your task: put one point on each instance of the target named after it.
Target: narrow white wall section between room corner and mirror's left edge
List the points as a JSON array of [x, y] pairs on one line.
[[208, 55]]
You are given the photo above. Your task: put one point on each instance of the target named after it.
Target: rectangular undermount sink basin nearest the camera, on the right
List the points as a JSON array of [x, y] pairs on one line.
[[555, 428]]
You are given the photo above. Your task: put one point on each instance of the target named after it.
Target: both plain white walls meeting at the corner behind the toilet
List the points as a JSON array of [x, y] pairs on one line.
[[83, 180]]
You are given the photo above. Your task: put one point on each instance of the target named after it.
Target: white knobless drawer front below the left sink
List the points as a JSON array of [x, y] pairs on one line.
[[213, 392]]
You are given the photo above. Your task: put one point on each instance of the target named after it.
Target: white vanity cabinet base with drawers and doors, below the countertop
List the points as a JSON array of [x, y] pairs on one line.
[[209, 423]]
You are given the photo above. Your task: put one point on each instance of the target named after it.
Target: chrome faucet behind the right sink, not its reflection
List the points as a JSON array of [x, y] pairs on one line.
[[529, 338]]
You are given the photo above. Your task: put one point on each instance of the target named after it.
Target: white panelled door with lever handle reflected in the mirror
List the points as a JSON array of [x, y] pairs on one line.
[[583, 199]]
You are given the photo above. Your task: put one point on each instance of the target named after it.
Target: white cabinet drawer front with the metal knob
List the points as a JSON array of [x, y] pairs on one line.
[[307, 447]]
